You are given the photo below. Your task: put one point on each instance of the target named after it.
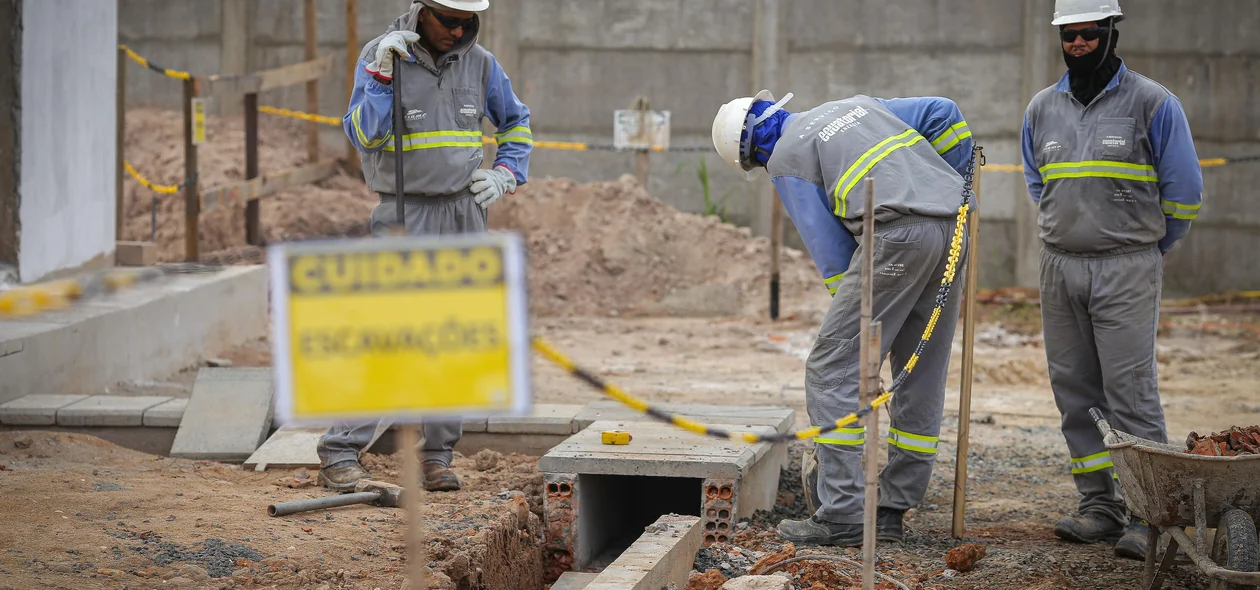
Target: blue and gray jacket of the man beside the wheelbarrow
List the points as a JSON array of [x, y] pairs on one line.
[[1120, 172]]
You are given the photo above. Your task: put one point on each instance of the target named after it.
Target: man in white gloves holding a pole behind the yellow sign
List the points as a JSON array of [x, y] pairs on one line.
[[450, 85]]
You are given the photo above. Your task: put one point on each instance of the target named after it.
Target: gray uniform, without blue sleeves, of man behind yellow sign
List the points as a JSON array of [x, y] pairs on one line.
[[444, 107]]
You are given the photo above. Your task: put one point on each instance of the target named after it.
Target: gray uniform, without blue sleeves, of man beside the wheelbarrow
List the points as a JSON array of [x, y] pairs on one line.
[[1102, 272]]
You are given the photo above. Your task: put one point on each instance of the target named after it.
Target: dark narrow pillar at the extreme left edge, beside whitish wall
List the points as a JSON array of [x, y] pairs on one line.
[[11, 130]]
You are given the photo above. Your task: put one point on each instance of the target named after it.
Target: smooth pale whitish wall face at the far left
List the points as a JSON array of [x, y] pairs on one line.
[[67, 137]]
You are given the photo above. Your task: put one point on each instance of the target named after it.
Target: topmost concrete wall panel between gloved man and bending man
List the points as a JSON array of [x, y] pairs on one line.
[[643, 25]]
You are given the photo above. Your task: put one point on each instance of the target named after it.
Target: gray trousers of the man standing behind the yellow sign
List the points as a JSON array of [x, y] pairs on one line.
[[462, 215]]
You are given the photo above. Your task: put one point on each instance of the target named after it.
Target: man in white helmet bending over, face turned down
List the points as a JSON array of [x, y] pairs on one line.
[[918, 151]]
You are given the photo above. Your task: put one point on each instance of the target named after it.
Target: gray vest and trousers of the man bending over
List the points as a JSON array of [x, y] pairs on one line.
[[918, 196]]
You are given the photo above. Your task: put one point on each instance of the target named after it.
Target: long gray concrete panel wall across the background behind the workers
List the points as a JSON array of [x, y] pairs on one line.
[[576, 61]]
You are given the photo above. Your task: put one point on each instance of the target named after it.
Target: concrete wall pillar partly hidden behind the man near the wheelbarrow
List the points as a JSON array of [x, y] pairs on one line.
[[1038, 57]]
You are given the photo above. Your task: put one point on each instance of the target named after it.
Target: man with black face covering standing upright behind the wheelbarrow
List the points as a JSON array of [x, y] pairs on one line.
[[1112, 166]]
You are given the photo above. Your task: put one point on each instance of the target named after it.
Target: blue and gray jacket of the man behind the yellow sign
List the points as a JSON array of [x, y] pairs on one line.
[[444, 105]]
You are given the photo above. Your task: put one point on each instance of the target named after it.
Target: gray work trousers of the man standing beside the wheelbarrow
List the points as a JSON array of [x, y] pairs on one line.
[[1099, 317]]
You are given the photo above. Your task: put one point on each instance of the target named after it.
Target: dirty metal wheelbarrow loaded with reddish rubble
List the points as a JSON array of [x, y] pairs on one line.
[[1172, 490]]
